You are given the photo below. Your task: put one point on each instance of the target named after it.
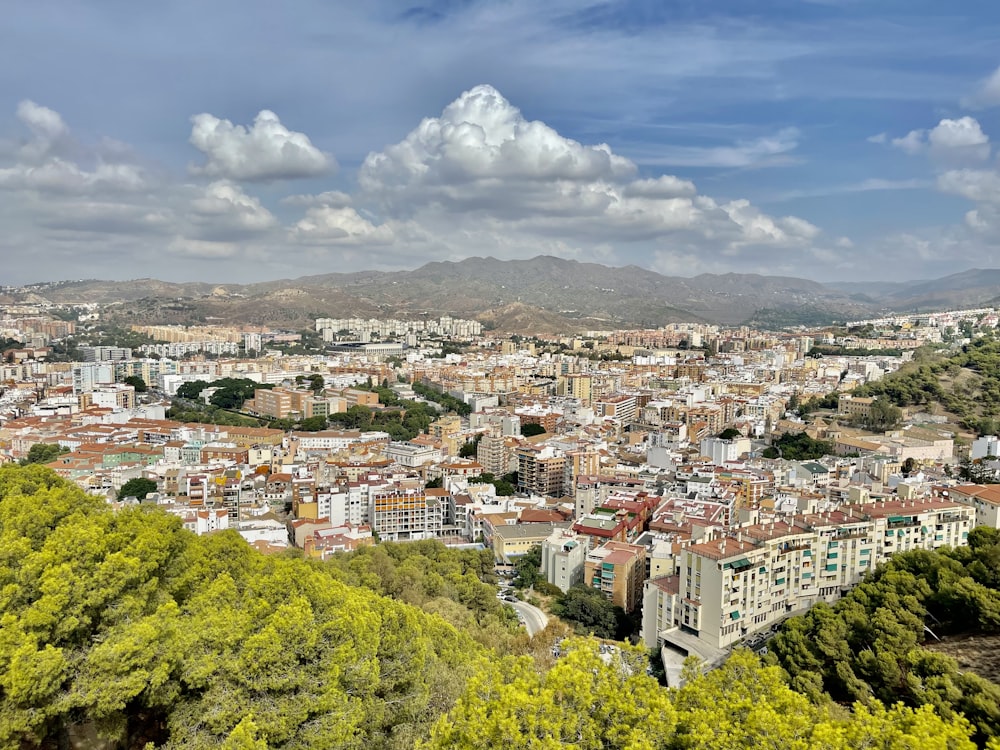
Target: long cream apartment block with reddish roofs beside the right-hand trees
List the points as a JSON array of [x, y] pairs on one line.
[[732, 586]]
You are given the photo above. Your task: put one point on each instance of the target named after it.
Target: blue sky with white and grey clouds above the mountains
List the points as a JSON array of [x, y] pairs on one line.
[[246, 141]]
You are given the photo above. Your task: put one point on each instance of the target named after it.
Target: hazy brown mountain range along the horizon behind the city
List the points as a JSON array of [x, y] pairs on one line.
[[543, 294]]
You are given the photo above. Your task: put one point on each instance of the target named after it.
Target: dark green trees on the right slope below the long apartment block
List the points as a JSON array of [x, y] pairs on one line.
[[869, 643]]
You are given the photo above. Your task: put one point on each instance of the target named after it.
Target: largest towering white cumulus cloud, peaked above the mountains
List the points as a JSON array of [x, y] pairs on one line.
[[483, 168]]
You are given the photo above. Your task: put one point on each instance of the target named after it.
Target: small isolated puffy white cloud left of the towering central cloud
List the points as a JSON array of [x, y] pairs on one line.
[[266, 151]]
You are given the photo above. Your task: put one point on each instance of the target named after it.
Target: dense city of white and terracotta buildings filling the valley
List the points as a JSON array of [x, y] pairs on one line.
[[647, 464]]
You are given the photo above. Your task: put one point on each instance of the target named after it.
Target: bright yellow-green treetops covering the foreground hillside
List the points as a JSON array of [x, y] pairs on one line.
[[126, 626]]
